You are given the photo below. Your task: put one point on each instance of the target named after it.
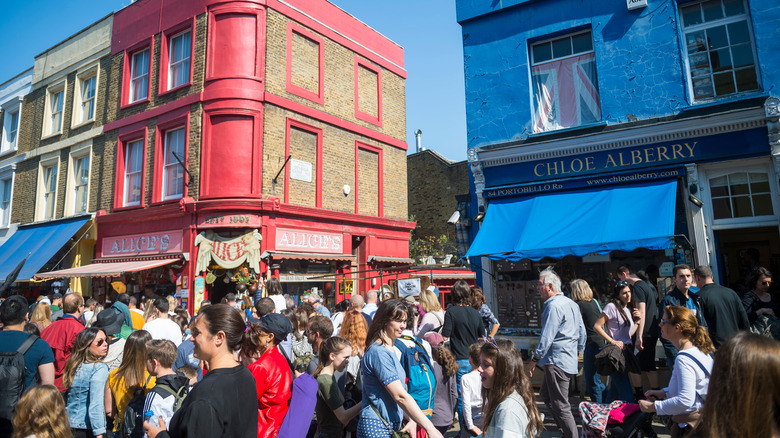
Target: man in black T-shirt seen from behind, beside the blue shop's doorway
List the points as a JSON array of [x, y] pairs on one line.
[[721, 307]]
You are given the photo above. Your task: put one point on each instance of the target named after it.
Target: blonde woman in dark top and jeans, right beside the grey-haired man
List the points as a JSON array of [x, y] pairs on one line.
[[590, 309]]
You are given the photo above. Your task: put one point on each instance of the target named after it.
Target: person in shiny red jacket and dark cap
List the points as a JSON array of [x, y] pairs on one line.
[[272, 373]]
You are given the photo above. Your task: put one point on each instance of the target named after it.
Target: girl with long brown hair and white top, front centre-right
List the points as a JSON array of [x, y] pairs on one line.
[[510, 408]]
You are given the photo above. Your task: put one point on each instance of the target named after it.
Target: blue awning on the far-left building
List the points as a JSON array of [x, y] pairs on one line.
[[40, 241]]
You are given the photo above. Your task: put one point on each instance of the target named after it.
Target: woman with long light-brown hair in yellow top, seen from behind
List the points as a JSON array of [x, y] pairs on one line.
[[123, 382]]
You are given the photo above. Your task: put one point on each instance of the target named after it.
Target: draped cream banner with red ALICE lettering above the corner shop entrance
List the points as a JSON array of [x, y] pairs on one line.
[[228, 252]]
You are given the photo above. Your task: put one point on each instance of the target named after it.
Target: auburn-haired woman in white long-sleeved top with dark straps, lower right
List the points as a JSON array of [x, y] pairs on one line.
[[691, 374]]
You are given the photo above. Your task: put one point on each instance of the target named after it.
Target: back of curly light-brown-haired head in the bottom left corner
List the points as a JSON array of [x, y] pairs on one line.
[[40, 413]]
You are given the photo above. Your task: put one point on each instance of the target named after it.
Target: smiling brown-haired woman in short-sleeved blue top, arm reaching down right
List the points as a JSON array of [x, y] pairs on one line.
[[385, 399]]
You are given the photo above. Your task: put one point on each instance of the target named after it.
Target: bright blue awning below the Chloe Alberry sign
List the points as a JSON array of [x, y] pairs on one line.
[[578, 223]]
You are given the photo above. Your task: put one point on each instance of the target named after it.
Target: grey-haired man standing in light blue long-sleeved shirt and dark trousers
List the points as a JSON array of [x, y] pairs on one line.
[[563, 335]]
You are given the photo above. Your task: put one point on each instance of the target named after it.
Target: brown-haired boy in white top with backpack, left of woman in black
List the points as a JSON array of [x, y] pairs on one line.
[[170, 387]]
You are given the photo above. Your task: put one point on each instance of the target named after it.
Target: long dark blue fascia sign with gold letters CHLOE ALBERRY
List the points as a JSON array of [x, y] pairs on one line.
[[751, 142]]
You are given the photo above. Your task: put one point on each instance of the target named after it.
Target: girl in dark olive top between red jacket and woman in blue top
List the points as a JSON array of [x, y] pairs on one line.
[[332, 417]]
